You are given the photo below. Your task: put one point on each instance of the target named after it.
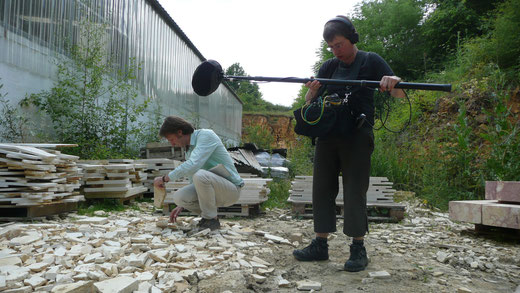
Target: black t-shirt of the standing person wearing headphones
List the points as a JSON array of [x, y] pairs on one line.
[[373, 67]]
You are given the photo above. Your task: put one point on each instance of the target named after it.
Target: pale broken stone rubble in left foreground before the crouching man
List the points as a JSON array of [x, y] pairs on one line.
[[127, 252]]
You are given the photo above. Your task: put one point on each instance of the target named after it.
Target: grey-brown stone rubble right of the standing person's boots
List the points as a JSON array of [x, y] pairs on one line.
[[424, 228]]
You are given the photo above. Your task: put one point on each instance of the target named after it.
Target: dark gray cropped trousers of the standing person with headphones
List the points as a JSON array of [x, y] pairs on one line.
[[351, 157]]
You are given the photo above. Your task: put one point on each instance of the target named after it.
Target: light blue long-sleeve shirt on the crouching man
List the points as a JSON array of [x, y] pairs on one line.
[[205, 152]]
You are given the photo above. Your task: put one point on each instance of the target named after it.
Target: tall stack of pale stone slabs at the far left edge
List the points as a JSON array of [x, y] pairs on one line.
[[32, 176]]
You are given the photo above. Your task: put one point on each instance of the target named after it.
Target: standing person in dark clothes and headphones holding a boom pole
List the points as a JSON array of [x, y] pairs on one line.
[[346, 153]]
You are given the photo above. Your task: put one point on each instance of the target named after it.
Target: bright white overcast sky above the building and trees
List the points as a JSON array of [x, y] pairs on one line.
[[275, 38]]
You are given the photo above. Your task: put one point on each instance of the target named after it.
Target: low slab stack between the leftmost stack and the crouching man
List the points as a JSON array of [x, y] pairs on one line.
[[113, 180]]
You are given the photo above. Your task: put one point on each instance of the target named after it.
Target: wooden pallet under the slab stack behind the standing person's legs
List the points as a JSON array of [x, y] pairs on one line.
[[377, 212]]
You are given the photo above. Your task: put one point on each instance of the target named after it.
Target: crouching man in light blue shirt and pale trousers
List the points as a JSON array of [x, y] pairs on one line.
[[207, 190]]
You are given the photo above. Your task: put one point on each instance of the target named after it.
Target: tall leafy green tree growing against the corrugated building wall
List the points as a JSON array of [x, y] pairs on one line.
[[93, 103]]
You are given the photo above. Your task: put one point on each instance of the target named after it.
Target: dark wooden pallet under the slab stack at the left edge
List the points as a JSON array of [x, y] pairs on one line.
[[18, 213]]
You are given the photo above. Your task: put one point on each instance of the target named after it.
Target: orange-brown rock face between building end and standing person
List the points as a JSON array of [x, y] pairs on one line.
[[280, 126]]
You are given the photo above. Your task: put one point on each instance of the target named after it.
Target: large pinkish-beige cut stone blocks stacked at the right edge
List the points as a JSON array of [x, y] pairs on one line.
[[501, 207]]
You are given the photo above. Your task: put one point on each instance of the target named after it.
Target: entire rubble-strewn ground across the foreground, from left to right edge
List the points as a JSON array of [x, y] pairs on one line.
[[137, 251]]
